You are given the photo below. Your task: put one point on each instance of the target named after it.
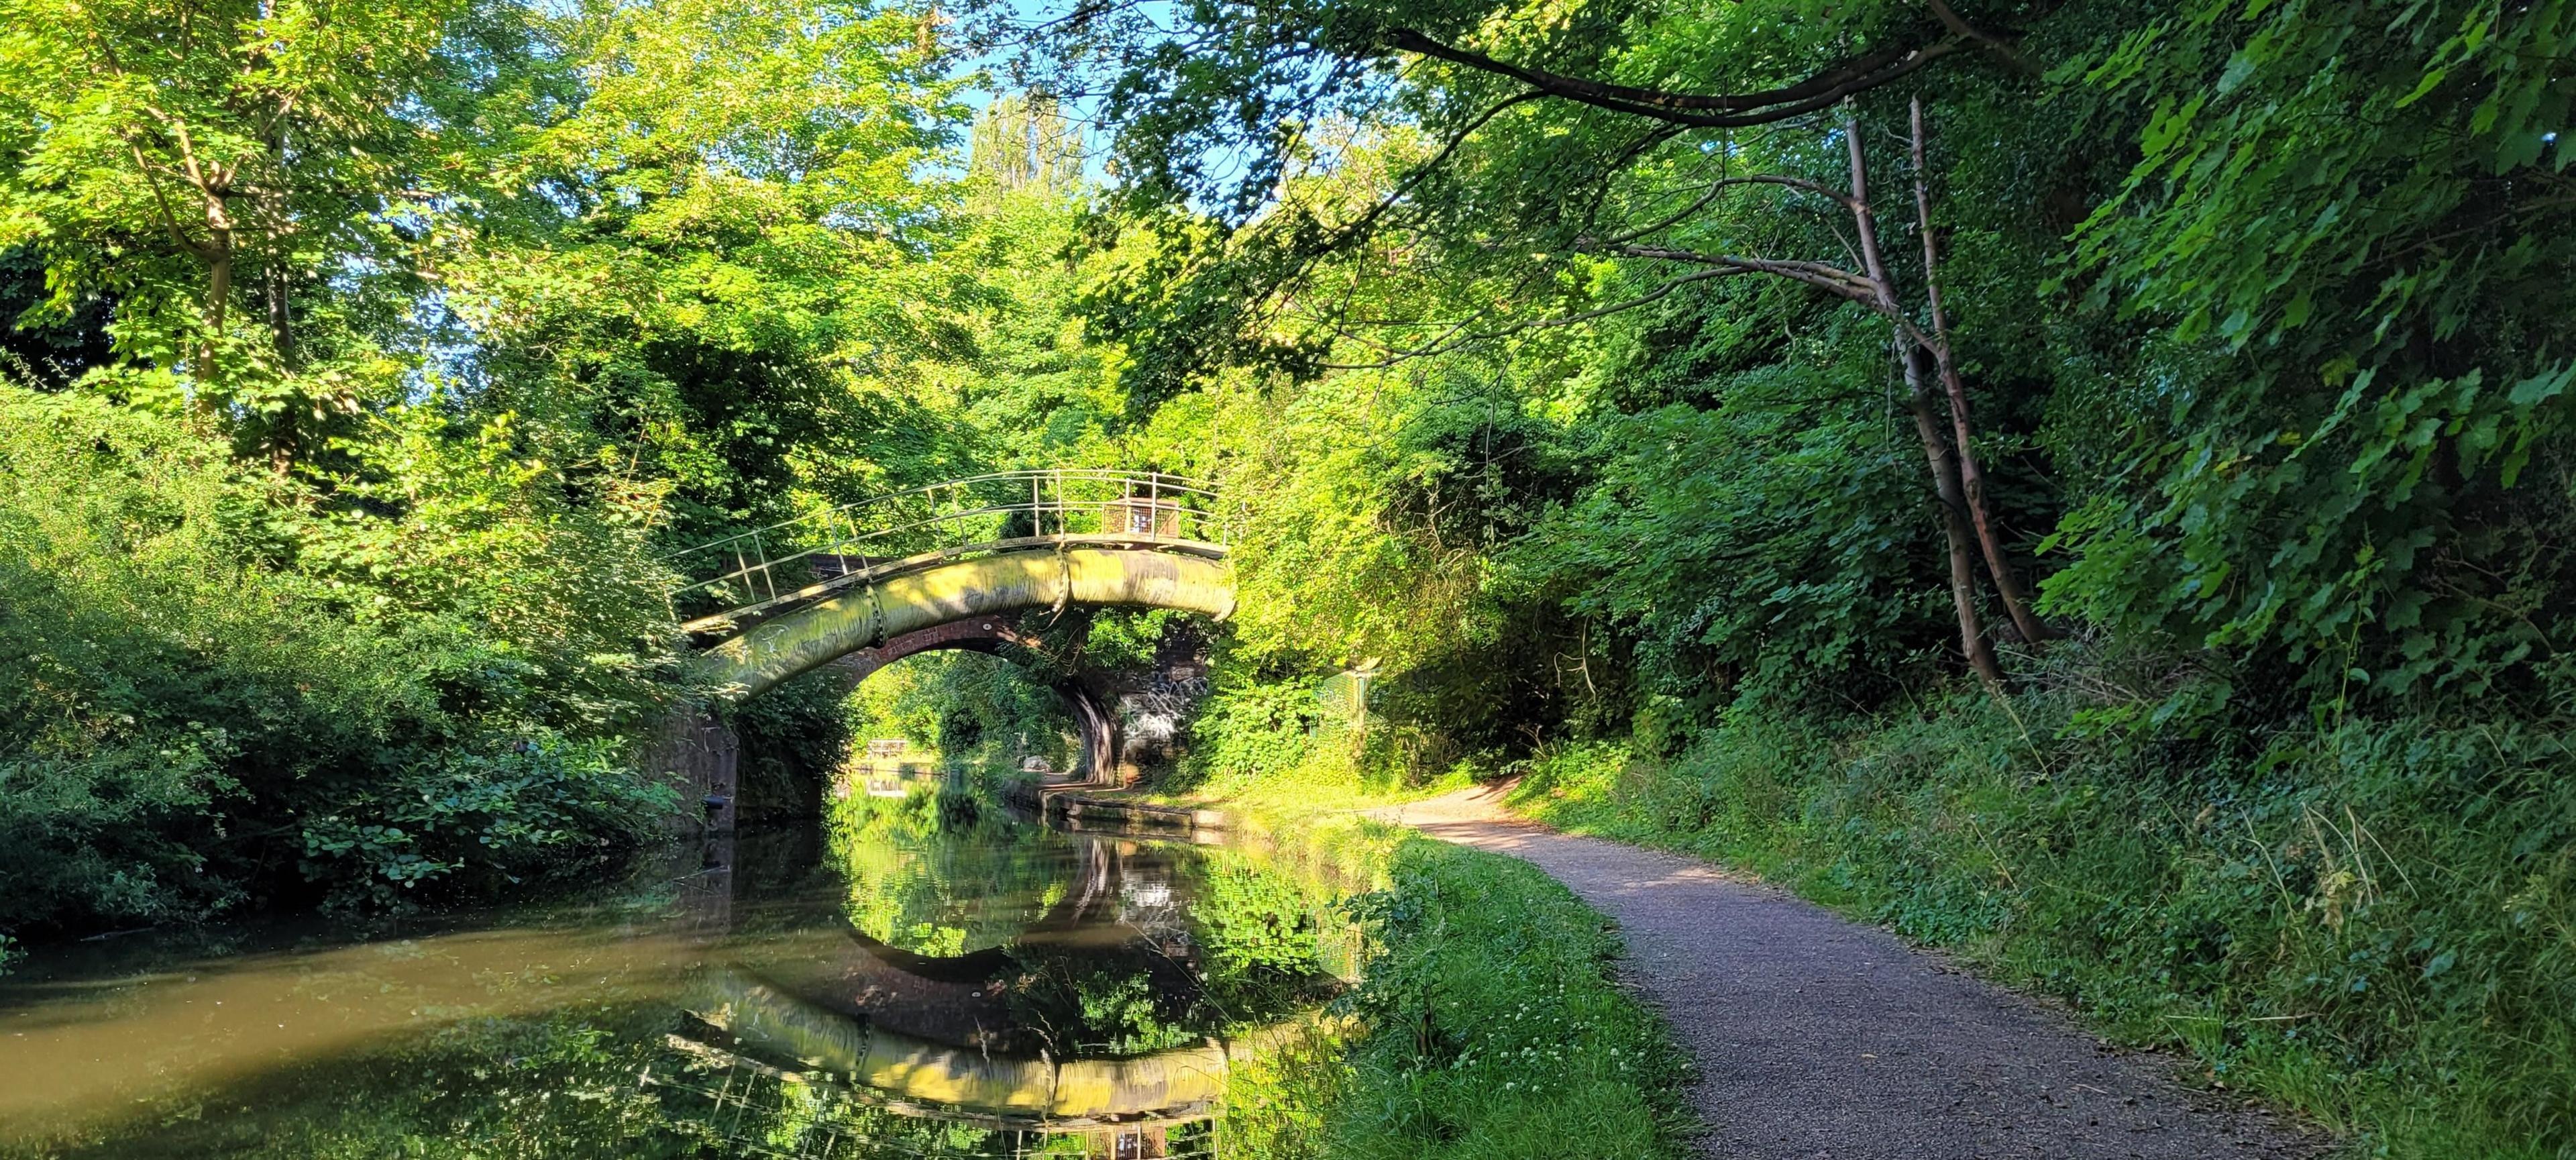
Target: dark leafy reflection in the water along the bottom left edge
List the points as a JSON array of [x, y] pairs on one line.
[[594, 1084]]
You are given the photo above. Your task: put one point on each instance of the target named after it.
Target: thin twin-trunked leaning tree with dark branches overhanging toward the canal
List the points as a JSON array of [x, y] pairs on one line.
[[1529, 171]]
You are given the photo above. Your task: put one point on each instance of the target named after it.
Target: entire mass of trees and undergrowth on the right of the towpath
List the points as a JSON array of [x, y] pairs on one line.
[[2170, 612]]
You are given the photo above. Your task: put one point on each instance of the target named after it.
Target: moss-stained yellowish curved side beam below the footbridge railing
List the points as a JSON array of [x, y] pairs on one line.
[[895, 607]]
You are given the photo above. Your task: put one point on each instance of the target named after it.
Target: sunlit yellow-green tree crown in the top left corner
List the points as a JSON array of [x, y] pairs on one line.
[[210, 166]]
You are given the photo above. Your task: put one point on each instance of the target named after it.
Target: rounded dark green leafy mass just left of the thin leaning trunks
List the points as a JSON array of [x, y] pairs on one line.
[[1756, 545]]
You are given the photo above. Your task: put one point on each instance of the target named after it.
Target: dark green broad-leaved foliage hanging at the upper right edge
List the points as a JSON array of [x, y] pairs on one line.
[[2358, 205]]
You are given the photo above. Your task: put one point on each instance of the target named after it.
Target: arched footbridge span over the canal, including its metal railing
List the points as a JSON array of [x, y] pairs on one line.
[[895, 571]]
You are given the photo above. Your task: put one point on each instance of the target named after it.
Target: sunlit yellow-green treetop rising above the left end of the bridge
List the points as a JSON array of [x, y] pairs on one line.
[[735, 262]]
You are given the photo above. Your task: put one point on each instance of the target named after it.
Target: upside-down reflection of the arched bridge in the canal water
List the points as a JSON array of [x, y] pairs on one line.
[[800, 1027]]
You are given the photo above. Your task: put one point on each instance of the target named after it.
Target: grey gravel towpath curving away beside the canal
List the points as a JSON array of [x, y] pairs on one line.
[[1817, 1038]]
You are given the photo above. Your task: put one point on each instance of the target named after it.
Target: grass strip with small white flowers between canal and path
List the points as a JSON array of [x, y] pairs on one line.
[[1488, 1027]]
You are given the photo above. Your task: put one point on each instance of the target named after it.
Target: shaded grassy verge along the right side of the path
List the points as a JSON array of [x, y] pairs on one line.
[[2371, 924]]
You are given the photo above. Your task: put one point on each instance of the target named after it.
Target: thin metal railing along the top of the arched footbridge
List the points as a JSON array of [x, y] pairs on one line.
[[857, 543]]
